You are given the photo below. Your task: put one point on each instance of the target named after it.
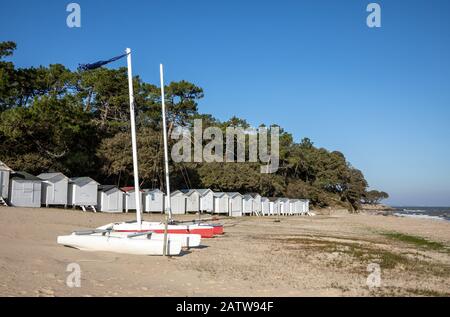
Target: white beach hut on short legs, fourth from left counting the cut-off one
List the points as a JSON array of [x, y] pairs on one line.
[[82, 192]]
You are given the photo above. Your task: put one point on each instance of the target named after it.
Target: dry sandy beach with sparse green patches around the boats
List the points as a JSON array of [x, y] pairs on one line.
[[299, 256]]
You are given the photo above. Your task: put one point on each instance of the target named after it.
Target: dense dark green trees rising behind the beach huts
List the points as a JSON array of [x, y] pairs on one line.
[[55, 119]]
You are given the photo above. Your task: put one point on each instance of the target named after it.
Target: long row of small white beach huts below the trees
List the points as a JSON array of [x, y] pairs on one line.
[[21, 189]]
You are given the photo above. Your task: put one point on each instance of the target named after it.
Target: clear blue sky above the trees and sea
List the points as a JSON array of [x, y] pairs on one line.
[[381, 96]]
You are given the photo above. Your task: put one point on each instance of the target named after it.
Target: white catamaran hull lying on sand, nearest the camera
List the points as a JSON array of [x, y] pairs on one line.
[[119, 244]]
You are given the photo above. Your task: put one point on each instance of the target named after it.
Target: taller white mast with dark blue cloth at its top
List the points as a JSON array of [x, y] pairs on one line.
[[133, 142]]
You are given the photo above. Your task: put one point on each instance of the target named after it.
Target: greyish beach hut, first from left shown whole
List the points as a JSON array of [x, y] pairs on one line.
[[24, 190]]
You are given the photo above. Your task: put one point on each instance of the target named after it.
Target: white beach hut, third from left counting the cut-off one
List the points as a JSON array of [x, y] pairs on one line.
[[54, 189]]
